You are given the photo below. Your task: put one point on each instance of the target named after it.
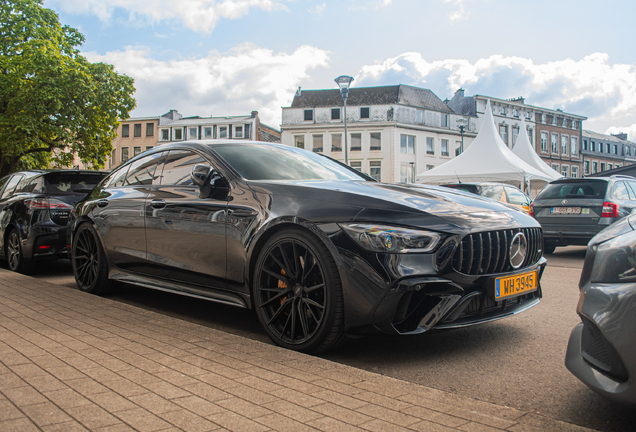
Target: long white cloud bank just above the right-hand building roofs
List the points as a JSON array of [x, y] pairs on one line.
[[604, 92]]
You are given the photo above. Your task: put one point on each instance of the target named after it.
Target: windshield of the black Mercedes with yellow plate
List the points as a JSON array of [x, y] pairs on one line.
[[263, 162]]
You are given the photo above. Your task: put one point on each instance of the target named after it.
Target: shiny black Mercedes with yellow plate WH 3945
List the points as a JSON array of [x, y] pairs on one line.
[[318, 249]]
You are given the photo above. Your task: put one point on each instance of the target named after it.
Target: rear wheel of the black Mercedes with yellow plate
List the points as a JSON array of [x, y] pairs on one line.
[[90, 267]]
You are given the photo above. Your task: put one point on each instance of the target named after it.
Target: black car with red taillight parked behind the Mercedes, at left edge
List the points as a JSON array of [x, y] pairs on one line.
[[34, 209]]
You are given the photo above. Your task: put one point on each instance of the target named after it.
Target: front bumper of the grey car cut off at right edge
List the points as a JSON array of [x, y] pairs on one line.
[[601, 352]]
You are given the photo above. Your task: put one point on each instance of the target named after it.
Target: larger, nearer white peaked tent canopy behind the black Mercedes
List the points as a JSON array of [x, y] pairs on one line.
[[486, 159]]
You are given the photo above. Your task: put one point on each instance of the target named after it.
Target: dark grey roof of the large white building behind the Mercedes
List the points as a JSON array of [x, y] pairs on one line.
[[384, 95]]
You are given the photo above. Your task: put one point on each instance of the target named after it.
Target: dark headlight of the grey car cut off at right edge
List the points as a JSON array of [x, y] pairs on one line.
[[615, 260]]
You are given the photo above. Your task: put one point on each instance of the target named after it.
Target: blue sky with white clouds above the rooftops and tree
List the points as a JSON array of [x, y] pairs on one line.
[[227, 57]]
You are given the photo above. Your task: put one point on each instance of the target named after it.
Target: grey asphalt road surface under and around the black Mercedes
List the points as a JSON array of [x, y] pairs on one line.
[[517, 362]]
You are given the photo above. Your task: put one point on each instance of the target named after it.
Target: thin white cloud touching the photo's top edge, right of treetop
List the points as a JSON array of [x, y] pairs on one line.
[[197, 15]]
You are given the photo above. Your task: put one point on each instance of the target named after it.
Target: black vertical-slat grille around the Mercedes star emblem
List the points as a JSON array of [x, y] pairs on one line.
[[489, 252]]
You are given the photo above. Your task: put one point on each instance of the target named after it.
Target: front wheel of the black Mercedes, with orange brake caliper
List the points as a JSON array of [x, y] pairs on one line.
[[298, 293]]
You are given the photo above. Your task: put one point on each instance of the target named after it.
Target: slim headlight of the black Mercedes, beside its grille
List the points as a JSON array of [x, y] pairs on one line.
[[389, 239]]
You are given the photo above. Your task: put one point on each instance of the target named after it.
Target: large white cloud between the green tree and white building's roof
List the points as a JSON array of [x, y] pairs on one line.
[[245, 79]]
